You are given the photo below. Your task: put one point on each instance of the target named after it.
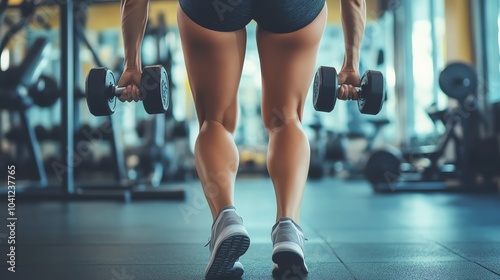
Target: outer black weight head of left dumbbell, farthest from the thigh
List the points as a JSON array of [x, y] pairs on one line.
[[97, 88]]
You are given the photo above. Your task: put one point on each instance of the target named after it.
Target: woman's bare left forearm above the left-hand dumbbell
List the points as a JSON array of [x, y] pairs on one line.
[[134, 16]]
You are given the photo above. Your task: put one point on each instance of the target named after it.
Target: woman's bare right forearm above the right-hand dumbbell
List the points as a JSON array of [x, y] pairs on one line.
[[353, 14]]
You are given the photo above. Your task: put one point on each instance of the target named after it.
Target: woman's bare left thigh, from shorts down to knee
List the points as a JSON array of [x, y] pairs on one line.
[[214, 62]]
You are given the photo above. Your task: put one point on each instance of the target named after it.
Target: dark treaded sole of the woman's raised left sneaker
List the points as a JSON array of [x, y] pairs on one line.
[[227, 254]]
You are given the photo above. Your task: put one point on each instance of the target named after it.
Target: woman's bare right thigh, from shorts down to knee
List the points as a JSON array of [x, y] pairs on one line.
[[288, 63]]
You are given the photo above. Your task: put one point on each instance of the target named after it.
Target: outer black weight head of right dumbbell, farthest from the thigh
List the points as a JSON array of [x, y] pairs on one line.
[[373, 87]]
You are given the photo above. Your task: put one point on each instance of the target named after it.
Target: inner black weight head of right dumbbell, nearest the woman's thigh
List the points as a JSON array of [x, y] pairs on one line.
[[325, 89]]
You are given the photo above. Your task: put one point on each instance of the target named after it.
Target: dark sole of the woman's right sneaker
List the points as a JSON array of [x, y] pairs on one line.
[[289, 264]]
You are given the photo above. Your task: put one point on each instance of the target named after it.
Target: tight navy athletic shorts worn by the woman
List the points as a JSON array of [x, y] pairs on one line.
[[277, 16]]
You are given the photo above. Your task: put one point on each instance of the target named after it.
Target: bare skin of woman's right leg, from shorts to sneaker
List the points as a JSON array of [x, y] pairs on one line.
[[288, 65]]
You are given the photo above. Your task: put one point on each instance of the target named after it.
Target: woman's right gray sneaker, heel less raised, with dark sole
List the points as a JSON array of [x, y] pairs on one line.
[[288, 249]]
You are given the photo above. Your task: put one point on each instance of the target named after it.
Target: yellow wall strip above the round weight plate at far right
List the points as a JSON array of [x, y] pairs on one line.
[[459, 41]]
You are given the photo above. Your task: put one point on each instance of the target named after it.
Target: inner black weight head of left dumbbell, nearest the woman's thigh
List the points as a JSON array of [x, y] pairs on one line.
[[154, 88]]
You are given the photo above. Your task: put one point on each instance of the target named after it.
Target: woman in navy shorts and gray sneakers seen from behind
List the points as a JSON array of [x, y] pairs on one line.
[[213, 38]]
